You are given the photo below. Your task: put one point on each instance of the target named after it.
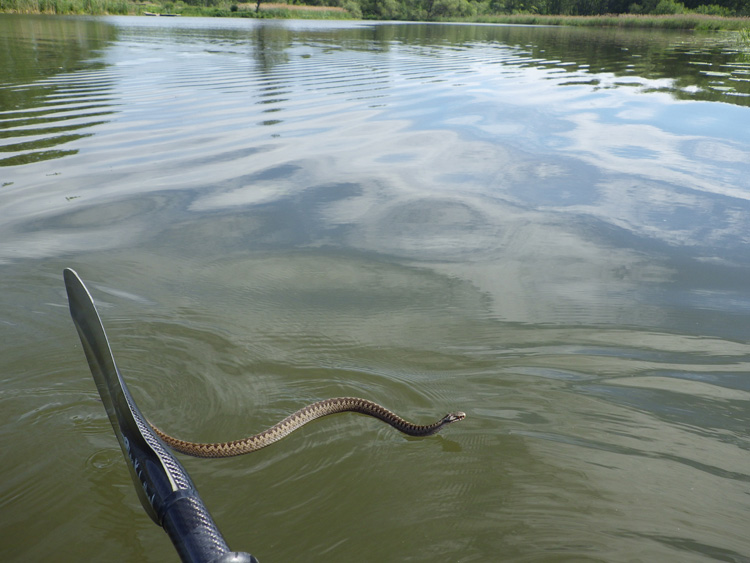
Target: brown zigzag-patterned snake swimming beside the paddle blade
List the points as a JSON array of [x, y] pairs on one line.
[[298, 419]]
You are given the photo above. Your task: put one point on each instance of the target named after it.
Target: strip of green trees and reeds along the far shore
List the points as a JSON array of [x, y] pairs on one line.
[[692, 14]]
